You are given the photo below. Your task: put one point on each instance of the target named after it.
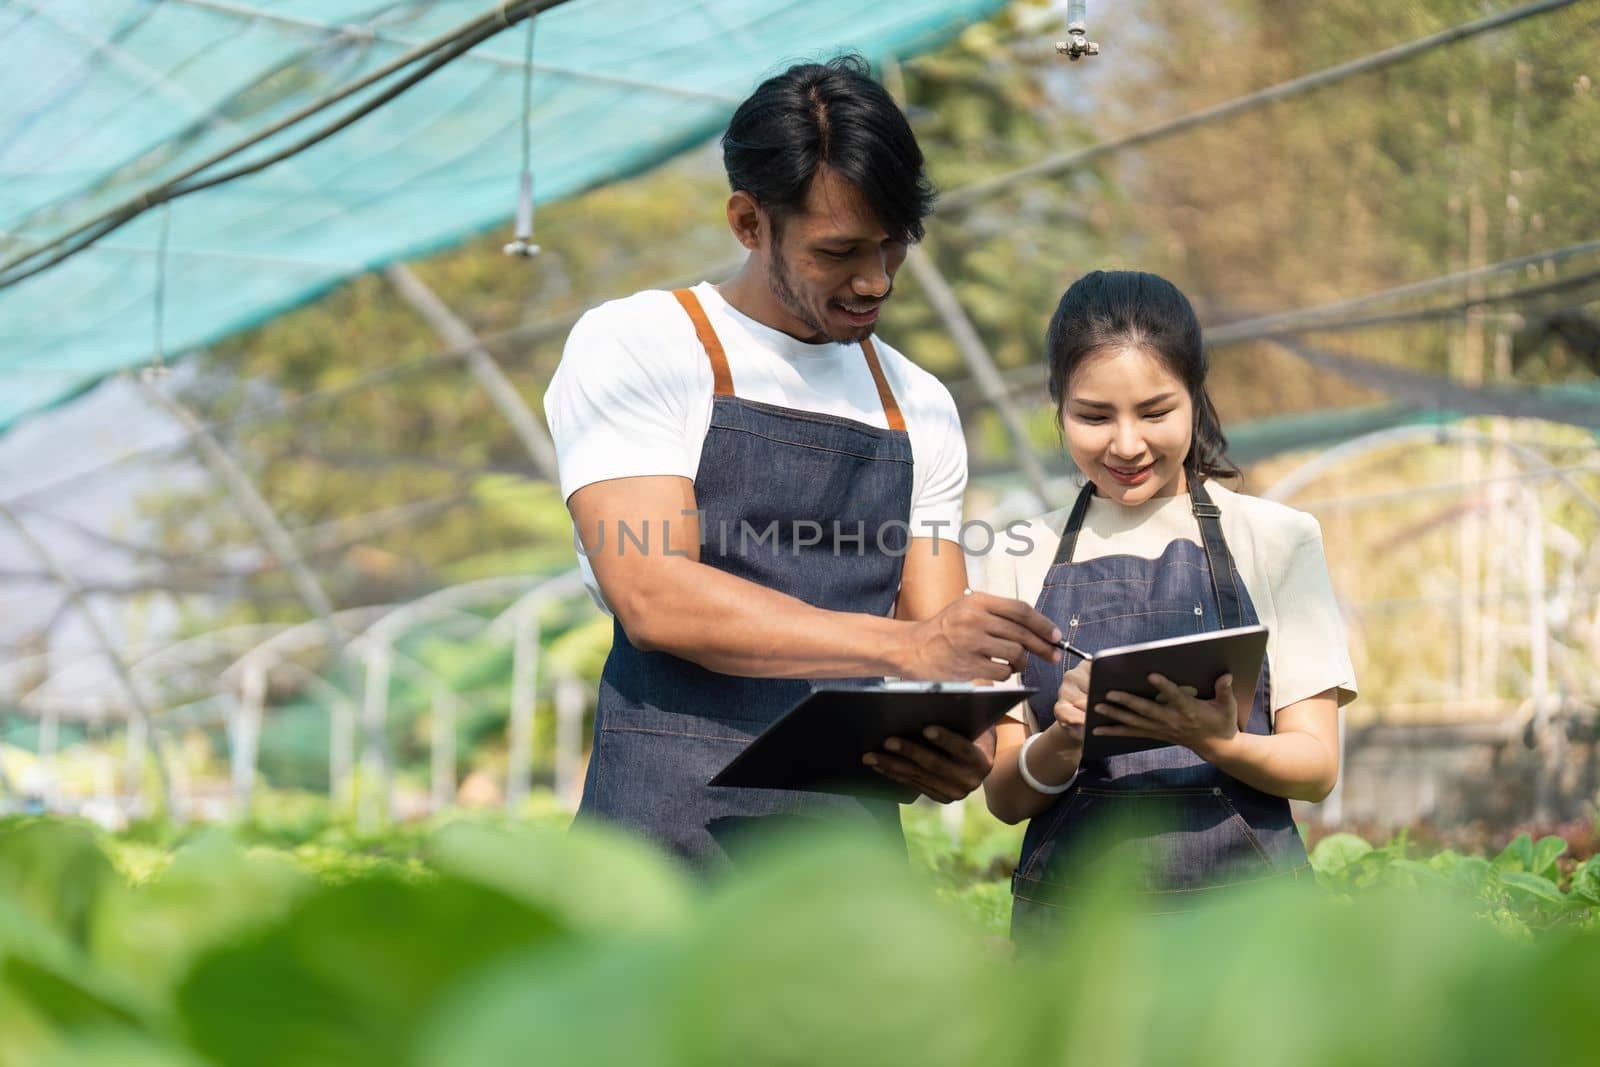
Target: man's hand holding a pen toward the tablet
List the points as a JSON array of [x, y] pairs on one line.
[[980, 637]]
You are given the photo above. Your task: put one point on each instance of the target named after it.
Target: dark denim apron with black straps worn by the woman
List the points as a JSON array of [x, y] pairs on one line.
[[1180, 828]]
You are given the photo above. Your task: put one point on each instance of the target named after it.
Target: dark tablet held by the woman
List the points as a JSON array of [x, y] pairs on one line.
[[1196, 660]]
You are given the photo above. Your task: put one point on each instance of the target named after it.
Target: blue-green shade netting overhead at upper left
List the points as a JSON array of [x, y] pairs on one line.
[[102, 98]]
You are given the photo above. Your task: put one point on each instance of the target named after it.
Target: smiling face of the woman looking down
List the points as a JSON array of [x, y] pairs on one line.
[[1129, 423]]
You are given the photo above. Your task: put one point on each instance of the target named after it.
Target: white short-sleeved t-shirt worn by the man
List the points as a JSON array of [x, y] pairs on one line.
[[633, 398]]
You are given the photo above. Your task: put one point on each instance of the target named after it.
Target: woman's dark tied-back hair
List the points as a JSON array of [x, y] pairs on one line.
[[1111, 310]]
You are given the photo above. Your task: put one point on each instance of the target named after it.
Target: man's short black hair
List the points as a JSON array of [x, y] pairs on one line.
[[830, 114]]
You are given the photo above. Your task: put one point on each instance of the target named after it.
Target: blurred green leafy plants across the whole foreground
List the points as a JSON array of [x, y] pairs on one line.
[[482, 941]]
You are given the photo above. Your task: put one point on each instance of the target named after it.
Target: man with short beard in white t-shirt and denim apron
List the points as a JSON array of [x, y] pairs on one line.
[[769, 497]]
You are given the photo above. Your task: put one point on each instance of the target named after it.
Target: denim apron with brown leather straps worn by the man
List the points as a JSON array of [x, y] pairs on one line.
[[810, 505]]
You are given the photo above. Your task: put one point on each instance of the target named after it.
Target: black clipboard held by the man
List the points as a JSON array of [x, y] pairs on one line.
[[818, 745]]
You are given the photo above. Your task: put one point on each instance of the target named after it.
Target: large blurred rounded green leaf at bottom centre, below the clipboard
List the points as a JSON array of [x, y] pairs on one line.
[[855, 932]]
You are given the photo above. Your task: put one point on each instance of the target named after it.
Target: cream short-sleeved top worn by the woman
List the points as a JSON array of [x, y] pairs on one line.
[[1278, 551]]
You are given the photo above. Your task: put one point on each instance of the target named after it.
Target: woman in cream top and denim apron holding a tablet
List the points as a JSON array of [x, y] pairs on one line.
[[1154, 548]]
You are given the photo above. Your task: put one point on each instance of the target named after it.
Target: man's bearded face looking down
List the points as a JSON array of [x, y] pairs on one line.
[[833, 265]]
